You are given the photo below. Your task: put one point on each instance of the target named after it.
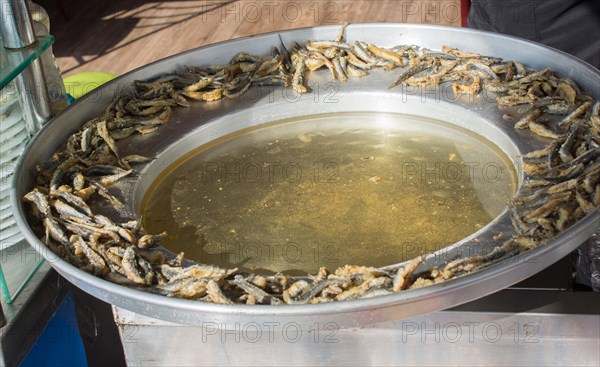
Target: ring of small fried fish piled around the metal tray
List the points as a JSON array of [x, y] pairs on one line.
[[562, 183]]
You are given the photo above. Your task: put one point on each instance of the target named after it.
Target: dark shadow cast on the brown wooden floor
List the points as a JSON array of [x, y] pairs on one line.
[[103, 26]]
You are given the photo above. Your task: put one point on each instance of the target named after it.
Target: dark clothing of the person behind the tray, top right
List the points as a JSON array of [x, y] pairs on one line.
[[572, 26]]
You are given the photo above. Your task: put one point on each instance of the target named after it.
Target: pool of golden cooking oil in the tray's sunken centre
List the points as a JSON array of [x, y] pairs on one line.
[[329, 190]]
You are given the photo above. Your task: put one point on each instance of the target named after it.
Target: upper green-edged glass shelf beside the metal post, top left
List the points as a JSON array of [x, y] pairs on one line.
[[15, 61]]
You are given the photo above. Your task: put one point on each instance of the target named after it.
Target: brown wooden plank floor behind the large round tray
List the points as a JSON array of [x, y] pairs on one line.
[[118, 36]]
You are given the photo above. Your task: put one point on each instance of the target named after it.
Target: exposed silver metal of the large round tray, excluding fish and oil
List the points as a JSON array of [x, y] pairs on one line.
[[203, 122]]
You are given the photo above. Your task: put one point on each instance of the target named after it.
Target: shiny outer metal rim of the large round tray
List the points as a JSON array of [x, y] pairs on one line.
[[176, 309]]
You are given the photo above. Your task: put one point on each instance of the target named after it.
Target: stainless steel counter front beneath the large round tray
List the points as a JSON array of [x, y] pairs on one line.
[[445, 338]]
